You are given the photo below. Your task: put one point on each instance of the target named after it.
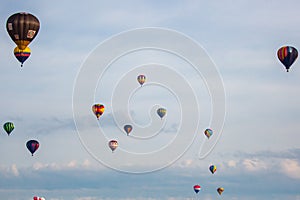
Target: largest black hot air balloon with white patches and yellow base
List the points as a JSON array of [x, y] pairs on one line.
[[22, 28]]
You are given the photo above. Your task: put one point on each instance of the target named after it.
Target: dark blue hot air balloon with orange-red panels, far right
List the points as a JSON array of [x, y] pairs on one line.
[[287, 56]]
